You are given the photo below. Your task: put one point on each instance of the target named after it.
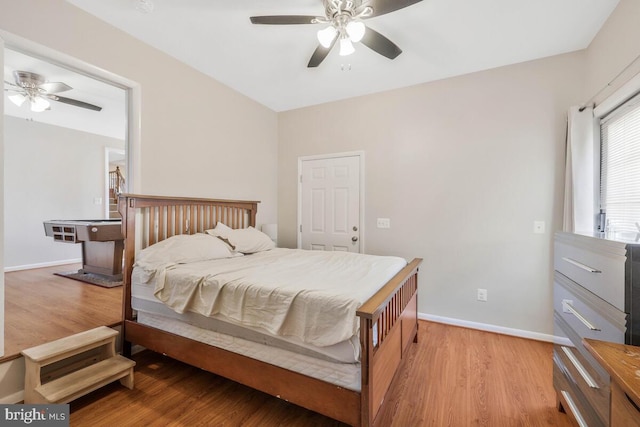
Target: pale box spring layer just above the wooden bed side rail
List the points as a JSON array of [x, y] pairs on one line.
[[345, 375]]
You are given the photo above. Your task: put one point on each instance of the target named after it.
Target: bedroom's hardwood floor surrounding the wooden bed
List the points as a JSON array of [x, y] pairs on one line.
[[453, 377]]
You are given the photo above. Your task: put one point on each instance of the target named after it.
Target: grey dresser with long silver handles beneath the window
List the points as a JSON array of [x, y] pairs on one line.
[[596, 296]]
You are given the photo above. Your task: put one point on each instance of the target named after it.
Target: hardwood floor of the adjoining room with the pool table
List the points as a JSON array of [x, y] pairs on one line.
[[41, 307]]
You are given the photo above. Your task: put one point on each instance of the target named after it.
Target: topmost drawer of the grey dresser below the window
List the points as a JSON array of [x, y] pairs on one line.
[[599, 271]]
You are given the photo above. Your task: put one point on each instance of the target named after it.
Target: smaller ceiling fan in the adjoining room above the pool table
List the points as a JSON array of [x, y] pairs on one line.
[[34, 88]]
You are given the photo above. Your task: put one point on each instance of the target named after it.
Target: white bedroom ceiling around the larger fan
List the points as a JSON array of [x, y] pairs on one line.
[[439, 39]]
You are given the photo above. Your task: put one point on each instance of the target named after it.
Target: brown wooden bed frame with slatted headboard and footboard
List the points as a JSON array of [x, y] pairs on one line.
[[388, 320]]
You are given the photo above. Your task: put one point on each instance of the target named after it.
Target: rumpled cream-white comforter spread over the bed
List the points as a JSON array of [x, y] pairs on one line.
[[312, 295]]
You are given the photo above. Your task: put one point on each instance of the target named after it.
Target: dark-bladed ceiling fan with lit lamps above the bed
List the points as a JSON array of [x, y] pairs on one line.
[[345, 26]]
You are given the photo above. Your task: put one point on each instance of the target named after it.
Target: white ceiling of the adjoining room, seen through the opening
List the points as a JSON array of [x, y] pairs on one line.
[[111, 121]]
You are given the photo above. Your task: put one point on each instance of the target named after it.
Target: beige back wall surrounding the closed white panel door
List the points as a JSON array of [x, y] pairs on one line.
[[462, 167]]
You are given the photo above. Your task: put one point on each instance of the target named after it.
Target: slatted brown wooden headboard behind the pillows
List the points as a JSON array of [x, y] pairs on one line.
[[150, 219]]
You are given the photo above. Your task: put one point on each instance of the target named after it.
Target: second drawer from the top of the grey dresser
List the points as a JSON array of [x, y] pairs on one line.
[[586, 314]]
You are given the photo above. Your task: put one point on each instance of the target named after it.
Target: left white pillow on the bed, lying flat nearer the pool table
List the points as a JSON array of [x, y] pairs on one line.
[[184, 248]]
